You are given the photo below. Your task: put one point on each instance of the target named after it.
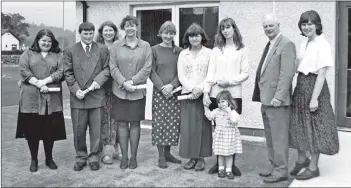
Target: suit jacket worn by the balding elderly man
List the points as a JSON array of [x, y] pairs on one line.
[[277, 74]]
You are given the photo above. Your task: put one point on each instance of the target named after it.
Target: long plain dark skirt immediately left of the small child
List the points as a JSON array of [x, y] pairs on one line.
[[195, 130]]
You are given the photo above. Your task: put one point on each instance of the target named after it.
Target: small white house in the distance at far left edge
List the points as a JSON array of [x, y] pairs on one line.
[[9, 41]]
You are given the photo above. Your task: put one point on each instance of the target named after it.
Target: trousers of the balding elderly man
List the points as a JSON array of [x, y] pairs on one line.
[[276, 122]]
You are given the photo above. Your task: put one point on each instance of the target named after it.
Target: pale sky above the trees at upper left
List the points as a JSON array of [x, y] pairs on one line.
[[57, 14]]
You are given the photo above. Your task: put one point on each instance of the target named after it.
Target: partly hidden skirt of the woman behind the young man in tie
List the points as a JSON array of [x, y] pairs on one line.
[[109, 134]]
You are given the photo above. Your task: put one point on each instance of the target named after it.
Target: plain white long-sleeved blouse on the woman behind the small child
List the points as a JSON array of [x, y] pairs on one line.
[[231, 65]]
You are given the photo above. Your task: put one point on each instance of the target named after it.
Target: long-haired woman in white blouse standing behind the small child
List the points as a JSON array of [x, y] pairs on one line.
[[228, 68]]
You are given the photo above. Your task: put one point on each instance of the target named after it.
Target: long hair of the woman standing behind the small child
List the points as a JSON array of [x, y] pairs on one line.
[[220, 40]]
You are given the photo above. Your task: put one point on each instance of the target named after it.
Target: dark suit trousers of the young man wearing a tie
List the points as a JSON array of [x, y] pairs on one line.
[[81, 118]]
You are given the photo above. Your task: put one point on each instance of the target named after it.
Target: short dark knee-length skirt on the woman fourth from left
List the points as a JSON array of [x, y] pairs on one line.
[[128, 110]]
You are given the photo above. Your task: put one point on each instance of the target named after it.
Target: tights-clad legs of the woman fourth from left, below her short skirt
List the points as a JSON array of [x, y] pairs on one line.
[[124, 133]]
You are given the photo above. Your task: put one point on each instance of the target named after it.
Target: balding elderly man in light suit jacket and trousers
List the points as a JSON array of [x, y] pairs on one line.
[[273, 88]]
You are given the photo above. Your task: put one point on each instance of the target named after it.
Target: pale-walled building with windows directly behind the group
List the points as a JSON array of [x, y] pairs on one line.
[[336, 20]]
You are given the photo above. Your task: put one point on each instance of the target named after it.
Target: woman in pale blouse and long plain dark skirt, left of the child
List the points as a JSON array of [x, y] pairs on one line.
[[196, 134]]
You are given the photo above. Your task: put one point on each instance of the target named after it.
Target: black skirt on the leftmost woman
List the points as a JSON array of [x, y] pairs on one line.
[[41, 127]]
